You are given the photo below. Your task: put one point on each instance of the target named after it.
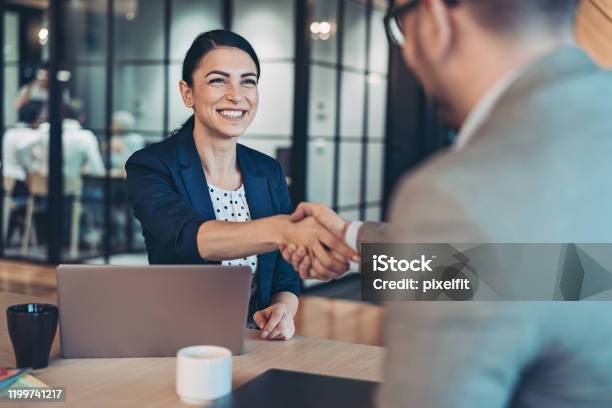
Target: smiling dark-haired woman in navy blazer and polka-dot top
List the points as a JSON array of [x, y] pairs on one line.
[[202, 197]]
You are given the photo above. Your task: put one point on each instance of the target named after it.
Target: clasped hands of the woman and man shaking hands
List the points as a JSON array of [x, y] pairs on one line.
[[314, 243]]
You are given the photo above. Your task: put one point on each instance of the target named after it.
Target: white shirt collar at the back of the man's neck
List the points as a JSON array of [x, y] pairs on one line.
[[480, 113]]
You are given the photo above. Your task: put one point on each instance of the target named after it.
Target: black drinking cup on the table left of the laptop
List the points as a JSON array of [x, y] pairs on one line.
[[32, 329]]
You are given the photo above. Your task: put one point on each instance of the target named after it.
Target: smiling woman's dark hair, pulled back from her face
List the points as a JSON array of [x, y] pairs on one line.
[[202, 45]]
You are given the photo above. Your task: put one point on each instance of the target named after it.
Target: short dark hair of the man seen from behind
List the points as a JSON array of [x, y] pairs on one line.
[[510, 15]]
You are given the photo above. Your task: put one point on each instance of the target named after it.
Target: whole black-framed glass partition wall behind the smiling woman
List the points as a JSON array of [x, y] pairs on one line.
[[80, 99]]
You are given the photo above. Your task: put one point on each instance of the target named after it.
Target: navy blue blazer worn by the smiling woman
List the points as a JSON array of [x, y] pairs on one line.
[[167, 190]]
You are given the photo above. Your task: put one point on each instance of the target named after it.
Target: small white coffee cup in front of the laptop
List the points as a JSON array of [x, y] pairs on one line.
[[203, 373]]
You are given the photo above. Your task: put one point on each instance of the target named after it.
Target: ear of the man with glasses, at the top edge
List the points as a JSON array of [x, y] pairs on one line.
[[442, 30]]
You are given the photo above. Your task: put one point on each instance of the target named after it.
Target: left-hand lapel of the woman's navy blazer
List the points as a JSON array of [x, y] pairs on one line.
[[193, 174]]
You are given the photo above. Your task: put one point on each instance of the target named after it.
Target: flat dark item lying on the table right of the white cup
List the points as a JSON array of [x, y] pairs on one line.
[[280, 389]]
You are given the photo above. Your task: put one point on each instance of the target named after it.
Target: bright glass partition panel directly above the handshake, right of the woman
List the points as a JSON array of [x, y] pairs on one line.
[[347, 105]]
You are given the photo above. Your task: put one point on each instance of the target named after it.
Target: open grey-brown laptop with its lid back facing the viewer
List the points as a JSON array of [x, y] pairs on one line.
[[150, 311]]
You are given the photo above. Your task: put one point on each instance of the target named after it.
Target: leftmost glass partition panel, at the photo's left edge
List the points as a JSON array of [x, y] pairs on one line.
[[25, 89]]
